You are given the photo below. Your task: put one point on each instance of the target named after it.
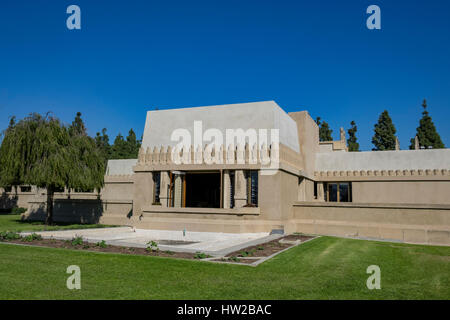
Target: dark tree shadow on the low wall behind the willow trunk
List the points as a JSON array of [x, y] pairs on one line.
[[82, 211]]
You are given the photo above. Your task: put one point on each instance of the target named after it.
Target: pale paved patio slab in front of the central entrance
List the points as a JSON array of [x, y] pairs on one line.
[[212, 243]]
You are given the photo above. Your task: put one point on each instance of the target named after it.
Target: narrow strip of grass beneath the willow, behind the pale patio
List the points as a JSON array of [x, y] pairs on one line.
[[11, 222]]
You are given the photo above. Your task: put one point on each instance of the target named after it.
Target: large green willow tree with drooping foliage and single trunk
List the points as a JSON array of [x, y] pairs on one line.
[[39, 150]]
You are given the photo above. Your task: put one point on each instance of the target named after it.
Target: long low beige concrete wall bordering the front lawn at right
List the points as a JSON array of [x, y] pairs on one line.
[[428, 224]]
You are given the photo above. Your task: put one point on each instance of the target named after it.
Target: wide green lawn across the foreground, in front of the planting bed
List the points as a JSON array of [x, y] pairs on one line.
[[324, 268]]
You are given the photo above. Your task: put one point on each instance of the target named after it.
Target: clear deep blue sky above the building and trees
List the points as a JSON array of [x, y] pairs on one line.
[[131, 56]]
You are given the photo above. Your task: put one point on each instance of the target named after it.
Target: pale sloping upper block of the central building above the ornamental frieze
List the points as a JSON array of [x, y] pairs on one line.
[[160, 124]]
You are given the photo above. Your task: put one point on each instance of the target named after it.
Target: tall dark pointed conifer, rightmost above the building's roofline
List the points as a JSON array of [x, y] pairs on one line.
[[426, 132]]
